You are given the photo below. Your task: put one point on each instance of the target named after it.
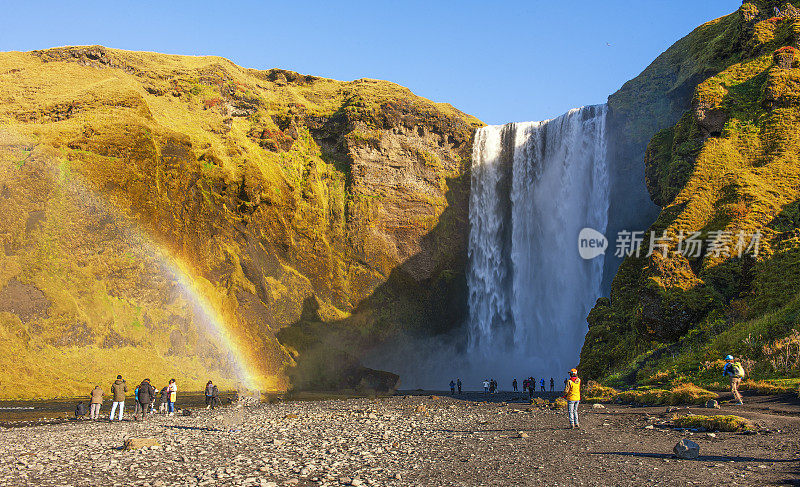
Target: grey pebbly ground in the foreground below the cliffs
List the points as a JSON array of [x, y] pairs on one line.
[[410, 440]]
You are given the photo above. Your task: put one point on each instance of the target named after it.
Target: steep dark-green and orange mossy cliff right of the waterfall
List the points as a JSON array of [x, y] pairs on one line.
[[727, 168]]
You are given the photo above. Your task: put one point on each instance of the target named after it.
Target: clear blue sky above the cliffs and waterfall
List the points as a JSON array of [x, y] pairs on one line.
[[500, 61]]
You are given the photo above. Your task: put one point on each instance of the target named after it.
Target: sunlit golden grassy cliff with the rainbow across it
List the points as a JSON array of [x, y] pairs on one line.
[[165, 214]]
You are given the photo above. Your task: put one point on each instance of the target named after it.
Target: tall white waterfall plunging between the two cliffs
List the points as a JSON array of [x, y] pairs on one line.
[[534, 186]]
